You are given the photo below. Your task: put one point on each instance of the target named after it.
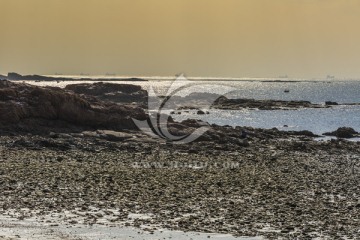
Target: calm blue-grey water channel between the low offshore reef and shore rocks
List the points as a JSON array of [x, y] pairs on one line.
[[318, 121]]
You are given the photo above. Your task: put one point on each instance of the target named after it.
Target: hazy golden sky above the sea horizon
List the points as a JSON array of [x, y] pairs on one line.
[[229, 38]]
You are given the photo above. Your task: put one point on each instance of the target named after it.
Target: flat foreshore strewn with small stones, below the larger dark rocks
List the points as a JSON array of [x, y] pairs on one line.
[[275, 187]]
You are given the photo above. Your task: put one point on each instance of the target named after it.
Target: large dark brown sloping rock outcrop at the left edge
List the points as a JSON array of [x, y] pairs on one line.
[[19, 101]]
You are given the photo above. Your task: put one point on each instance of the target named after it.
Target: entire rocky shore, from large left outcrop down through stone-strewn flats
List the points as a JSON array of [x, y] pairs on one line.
[[62, 151]]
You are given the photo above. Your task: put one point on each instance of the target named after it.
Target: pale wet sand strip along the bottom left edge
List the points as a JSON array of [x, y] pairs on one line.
[[36, 229]]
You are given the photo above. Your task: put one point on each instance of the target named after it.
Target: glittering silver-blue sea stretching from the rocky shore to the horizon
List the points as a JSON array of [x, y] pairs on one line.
[[319, 120]]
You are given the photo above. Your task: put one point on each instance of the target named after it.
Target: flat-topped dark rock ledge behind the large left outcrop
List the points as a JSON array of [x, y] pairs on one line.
[[120, 93]]
